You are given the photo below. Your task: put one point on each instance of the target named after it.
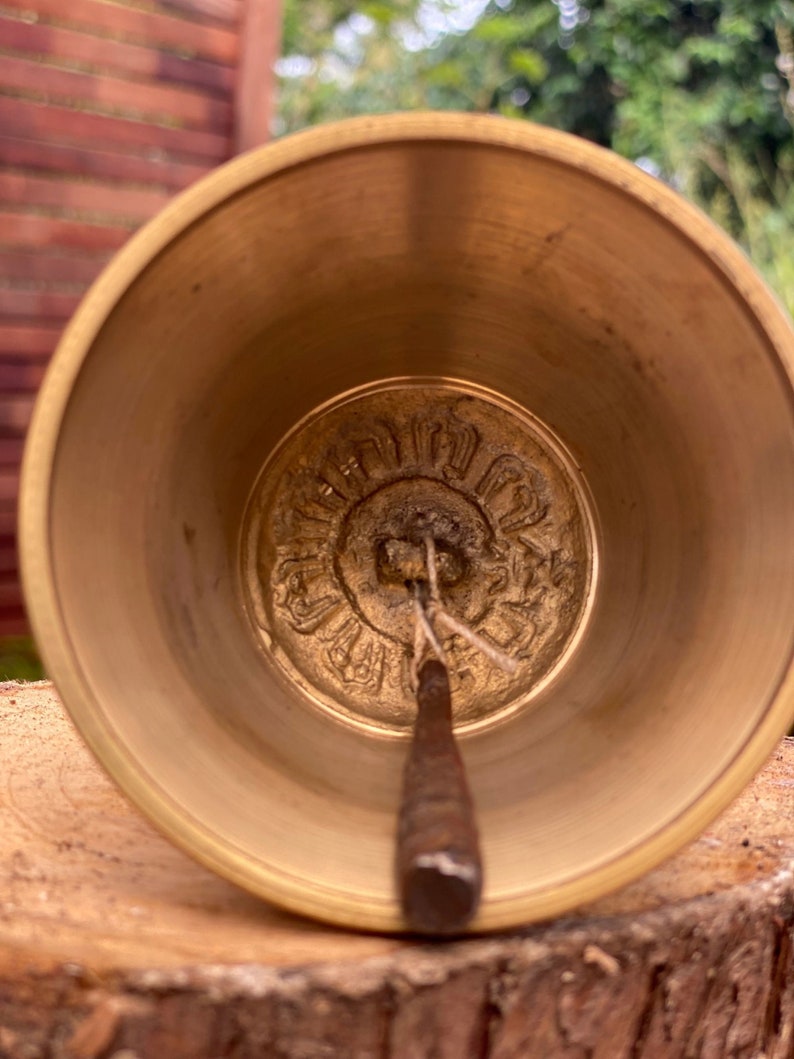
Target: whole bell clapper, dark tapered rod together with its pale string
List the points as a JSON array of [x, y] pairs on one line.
[[440, 867]]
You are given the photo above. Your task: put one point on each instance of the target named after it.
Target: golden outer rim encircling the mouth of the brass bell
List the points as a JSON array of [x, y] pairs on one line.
[[53, 637]]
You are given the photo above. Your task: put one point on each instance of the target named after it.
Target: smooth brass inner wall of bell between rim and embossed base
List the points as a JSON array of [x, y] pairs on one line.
[[510, 272]]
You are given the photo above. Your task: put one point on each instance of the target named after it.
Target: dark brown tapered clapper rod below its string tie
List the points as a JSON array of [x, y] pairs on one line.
[[439, 865]]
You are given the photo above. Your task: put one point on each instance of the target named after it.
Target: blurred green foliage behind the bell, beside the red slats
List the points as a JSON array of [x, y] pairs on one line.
[[699, 91]]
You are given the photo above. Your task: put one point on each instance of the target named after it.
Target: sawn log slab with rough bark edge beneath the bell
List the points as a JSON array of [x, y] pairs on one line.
[[114, 944]]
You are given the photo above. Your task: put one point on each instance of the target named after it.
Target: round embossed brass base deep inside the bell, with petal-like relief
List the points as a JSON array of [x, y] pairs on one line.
[[334, 540]]
